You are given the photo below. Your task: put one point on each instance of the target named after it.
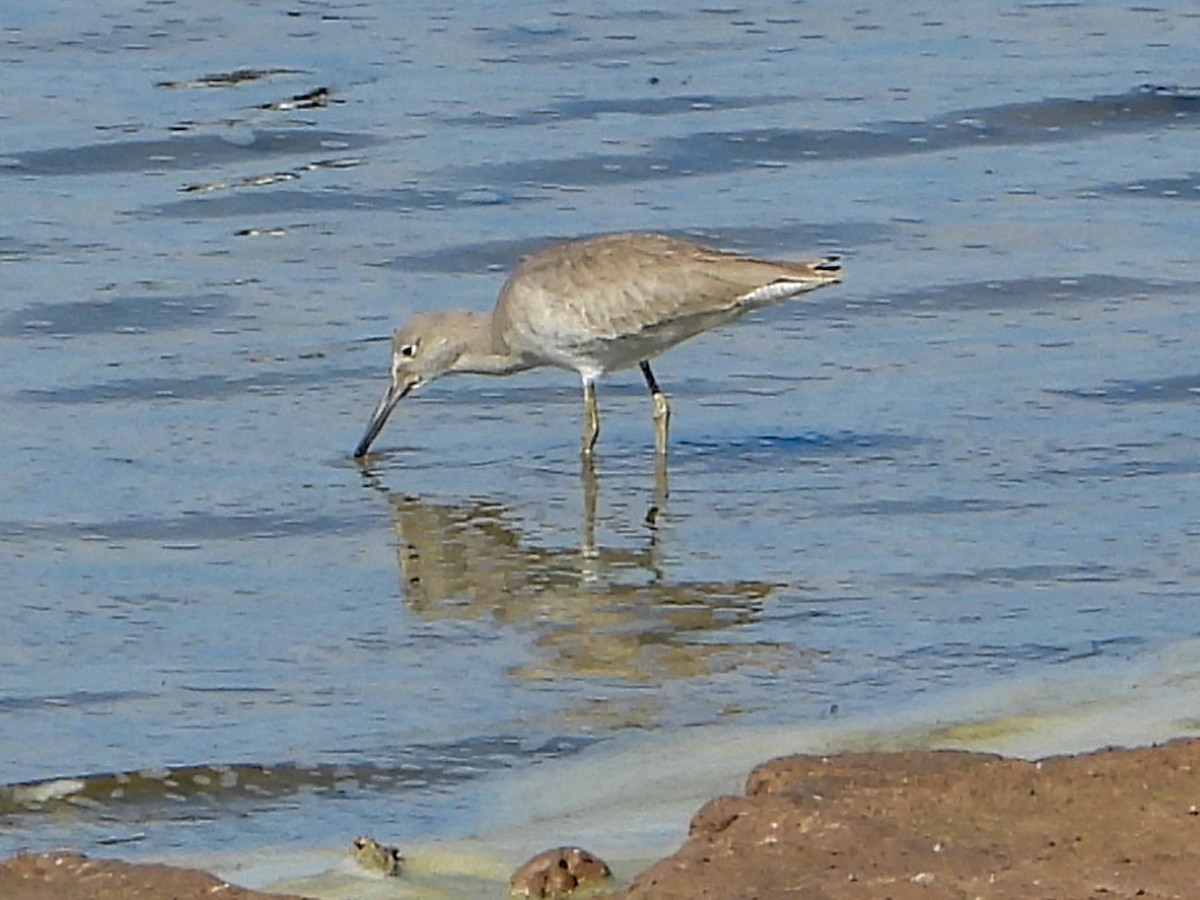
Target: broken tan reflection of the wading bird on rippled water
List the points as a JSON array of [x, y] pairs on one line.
[[610, 613]]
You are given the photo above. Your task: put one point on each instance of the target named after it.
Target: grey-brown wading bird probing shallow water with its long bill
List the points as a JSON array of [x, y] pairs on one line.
[[593, 307]]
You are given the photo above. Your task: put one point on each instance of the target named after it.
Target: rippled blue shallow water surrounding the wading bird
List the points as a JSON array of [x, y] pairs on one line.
[[969, 464]]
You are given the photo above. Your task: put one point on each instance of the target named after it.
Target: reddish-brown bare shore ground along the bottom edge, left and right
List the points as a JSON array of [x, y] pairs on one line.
[[1117, 823]]
